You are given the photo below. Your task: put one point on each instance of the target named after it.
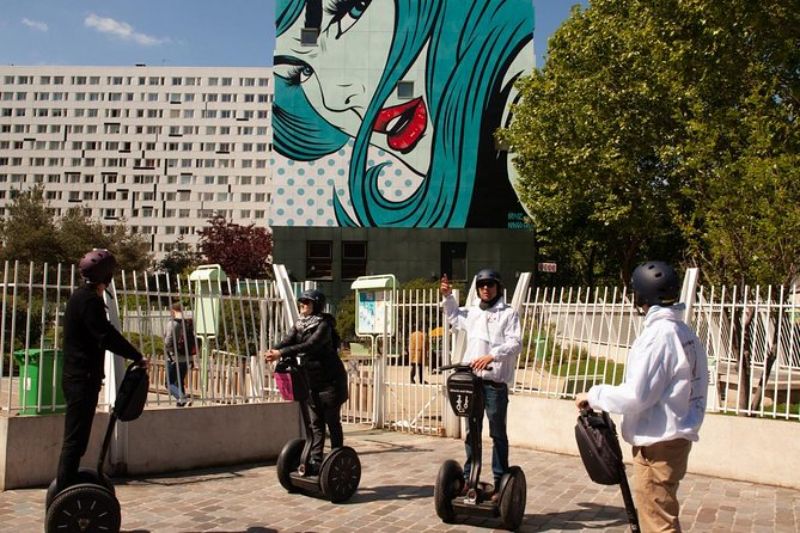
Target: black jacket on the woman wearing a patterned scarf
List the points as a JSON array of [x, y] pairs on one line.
[[317, 353]]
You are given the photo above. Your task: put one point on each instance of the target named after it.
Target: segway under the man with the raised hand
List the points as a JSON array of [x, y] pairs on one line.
[[465, 392]]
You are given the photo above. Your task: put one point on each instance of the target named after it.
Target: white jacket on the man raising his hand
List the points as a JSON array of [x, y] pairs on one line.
[[495, 332]]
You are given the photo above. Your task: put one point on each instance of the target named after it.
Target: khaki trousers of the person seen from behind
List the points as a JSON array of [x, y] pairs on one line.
[[657, 471]]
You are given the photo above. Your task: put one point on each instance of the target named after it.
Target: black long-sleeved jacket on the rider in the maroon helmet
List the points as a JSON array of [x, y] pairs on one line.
[[88, 334]]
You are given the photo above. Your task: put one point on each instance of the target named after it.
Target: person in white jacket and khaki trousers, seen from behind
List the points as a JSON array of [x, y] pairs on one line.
[[663, 397]]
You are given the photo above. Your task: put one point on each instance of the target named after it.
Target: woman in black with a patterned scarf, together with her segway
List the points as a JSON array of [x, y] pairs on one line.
[[310, 372]]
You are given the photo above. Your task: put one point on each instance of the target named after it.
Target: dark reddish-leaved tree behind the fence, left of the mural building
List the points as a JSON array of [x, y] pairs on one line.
[[242, 251]]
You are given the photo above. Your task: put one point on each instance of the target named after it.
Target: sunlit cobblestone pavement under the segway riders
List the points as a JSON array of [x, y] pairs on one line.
[[396, 494]]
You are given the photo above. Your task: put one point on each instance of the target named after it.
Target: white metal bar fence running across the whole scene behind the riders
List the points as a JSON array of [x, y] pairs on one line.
[[572, 339]]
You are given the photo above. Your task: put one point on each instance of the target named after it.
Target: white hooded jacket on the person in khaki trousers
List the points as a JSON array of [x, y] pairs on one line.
[[666, 381]]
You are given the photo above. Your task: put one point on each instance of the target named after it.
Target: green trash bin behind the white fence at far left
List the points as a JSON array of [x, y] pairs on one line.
[[40, 368]]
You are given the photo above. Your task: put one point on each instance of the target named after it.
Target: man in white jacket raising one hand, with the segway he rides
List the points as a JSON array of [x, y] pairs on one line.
[[480, 384]]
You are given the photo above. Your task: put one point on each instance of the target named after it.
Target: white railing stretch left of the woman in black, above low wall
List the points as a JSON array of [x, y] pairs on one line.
[[33, 301]]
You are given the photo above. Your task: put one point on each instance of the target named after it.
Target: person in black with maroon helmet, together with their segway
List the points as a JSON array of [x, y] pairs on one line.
[[87, 335]]
